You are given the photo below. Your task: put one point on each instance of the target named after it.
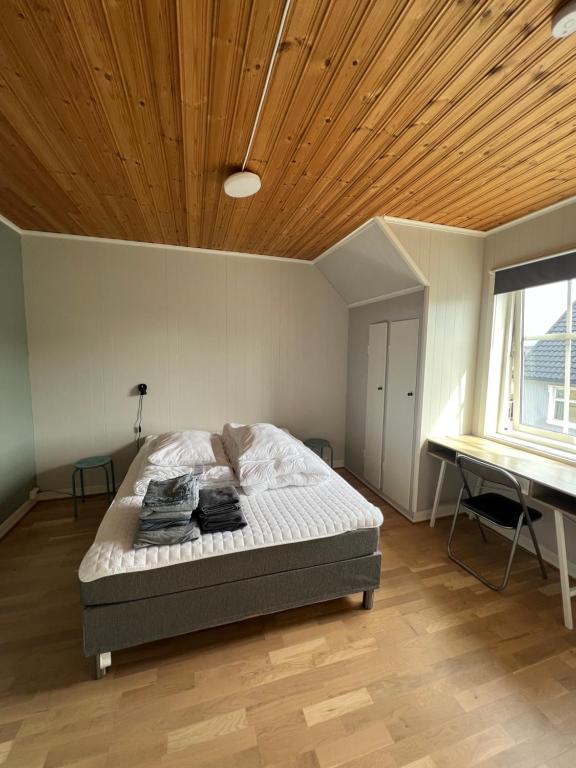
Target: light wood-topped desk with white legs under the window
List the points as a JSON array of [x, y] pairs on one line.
[[550, 482]]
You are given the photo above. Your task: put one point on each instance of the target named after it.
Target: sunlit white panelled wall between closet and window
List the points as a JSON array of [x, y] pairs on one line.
[[452, 263]]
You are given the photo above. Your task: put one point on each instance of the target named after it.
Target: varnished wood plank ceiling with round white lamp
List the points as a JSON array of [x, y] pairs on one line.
[[121, 118]]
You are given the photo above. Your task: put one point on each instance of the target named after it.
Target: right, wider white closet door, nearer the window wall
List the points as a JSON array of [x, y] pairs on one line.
[[400, 411]]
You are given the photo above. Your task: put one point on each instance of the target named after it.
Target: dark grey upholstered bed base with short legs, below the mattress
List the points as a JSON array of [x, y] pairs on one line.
[[123, 623]]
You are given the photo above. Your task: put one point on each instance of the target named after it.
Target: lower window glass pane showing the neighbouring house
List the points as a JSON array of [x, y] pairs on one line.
[[542, 384]]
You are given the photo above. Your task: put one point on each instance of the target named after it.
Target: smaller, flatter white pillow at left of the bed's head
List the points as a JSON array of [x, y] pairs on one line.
[[194, 446]]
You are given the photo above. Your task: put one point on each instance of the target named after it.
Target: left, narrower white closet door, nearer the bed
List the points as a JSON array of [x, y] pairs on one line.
[[375, 395]]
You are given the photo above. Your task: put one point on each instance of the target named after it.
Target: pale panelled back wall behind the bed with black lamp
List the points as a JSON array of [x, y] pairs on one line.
[[216, 337]]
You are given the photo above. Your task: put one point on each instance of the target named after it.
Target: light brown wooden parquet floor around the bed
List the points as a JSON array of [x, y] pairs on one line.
[[443, 673]]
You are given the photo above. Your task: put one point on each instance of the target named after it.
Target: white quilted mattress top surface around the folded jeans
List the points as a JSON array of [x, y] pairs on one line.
[[276, 517]]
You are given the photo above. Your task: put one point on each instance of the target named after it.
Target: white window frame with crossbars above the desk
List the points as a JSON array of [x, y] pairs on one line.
[[515, 428]]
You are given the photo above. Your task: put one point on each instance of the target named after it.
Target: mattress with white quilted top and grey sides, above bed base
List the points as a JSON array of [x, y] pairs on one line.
[[288, 516]]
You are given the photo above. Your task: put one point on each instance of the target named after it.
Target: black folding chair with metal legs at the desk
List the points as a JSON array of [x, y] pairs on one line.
[[499, 510]]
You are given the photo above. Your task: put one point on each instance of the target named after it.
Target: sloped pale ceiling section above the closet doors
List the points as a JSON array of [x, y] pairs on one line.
[[369, 264]]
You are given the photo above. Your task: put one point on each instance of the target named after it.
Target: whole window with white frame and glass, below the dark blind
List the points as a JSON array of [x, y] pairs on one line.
[[538, 392]]
